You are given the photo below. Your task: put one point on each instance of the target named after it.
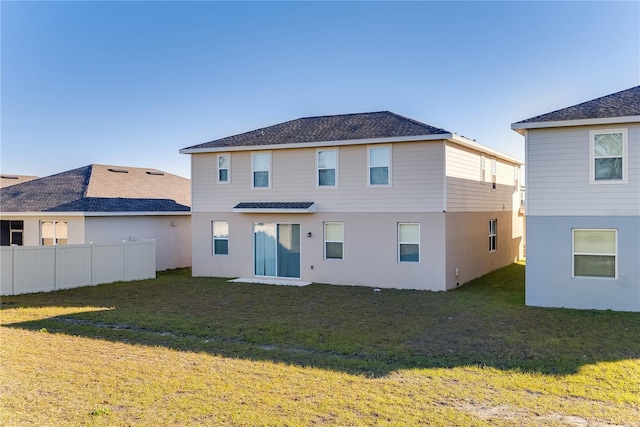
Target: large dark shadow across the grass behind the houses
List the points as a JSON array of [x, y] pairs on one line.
[[349, 329]]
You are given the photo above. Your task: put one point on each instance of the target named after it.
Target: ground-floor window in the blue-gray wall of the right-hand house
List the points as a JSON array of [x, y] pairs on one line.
[[595, 253]]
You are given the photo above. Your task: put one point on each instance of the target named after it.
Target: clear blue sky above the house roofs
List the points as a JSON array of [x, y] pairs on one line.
[[130, 83]]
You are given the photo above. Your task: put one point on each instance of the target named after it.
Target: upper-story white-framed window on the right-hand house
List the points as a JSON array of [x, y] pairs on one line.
[[608, 152]]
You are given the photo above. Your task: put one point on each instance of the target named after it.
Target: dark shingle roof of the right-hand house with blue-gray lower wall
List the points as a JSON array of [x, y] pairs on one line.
[[620, 104]]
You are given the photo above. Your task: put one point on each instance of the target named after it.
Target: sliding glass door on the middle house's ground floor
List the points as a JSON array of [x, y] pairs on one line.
[[276, 250]]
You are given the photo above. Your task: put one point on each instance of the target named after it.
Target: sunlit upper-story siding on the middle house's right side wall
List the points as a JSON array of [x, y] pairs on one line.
[[466, 192]]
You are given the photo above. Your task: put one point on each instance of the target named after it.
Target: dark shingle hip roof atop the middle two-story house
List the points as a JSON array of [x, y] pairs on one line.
[[344, 127]]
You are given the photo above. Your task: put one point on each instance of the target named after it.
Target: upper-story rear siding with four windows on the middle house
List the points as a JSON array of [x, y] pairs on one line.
[[416, 180]]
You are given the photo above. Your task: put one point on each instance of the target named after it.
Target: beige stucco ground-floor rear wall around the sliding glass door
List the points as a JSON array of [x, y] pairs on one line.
[[370, 248]]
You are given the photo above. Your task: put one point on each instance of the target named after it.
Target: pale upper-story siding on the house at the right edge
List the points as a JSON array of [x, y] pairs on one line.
[[558, 175]]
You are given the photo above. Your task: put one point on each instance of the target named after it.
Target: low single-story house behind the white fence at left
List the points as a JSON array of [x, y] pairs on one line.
[[101, 204]]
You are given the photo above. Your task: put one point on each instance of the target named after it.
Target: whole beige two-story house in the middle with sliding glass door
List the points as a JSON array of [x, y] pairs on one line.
[[371, 199]]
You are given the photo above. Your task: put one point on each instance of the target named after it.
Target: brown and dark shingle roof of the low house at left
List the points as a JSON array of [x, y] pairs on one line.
[[95, 188]]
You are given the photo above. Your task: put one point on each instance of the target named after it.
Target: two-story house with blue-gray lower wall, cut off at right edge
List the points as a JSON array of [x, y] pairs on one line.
[[583, 204]]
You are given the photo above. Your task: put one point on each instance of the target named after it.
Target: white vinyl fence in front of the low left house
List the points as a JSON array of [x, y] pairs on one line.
[[26, 269]]
